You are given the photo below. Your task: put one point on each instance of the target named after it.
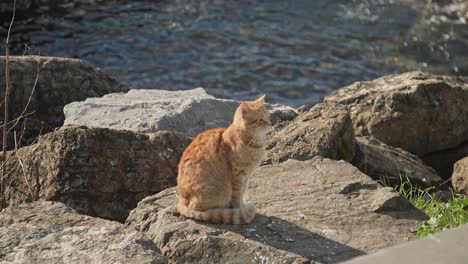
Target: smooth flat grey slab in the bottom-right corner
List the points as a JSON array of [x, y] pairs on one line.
[[445, 247]]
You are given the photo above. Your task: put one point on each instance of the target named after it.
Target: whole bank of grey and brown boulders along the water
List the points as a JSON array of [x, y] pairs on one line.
[[112, 153]]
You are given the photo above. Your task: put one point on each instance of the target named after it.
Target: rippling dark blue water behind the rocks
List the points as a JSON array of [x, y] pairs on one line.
[[296, 52]]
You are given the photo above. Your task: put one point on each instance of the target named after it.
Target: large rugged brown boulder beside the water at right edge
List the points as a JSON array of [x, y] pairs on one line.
[[419, 112]]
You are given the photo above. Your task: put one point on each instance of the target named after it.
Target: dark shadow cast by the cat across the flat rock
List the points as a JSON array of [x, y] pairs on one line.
[[284, 235]]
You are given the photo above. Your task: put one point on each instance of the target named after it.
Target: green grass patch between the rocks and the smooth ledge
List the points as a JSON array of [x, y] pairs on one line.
[[443, 215]]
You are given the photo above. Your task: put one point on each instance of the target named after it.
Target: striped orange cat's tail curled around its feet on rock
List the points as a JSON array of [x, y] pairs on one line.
[[233, 216]]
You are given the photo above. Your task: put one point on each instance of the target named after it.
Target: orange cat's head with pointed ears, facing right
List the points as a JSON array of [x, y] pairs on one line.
[[253, 115]]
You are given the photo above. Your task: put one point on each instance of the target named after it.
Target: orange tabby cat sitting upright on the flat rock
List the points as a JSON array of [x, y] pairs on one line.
[[215, 167]]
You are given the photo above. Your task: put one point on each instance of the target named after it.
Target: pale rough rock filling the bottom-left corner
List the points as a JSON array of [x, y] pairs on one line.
[[50, 232]]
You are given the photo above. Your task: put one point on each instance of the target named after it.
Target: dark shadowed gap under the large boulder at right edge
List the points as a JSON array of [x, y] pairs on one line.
[[443, 161]]
